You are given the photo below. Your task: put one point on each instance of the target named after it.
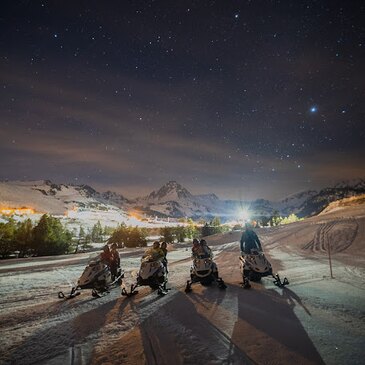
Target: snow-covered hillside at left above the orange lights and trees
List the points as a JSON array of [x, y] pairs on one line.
[[76, 204]]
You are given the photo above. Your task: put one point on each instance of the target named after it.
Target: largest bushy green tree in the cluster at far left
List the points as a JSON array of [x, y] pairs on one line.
[[50, 238]]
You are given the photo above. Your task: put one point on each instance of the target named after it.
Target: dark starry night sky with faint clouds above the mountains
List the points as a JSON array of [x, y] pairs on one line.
[[246, 99]]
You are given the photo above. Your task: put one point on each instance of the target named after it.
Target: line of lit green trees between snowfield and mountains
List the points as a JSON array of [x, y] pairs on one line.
[[50, 237]]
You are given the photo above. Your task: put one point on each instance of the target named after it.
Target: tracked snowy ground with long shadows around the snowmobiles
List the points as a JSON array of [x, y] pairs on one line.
[[315, 320]]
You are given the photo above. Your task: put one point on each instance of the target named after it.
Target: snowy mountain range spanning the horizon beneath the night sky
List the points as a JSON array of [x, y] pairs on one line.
[[171, 200]]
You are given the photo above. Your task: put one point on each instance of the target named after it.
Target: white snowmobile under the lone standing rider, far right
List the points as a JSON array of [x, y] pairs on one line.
[[254, 266]]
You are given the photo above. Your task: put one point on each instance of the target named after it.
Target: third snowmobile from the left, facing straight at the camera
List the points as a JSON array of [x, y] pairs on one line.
[[204, 271]]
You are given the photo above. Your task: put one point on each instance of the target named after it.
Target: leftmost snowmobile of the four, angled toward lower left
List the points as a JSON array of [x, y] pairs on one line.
[[98, 277]]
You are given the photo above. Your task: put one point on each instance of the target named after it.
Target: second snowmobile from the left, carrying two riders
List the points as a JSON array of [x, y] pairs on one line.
[[152, 273]]
